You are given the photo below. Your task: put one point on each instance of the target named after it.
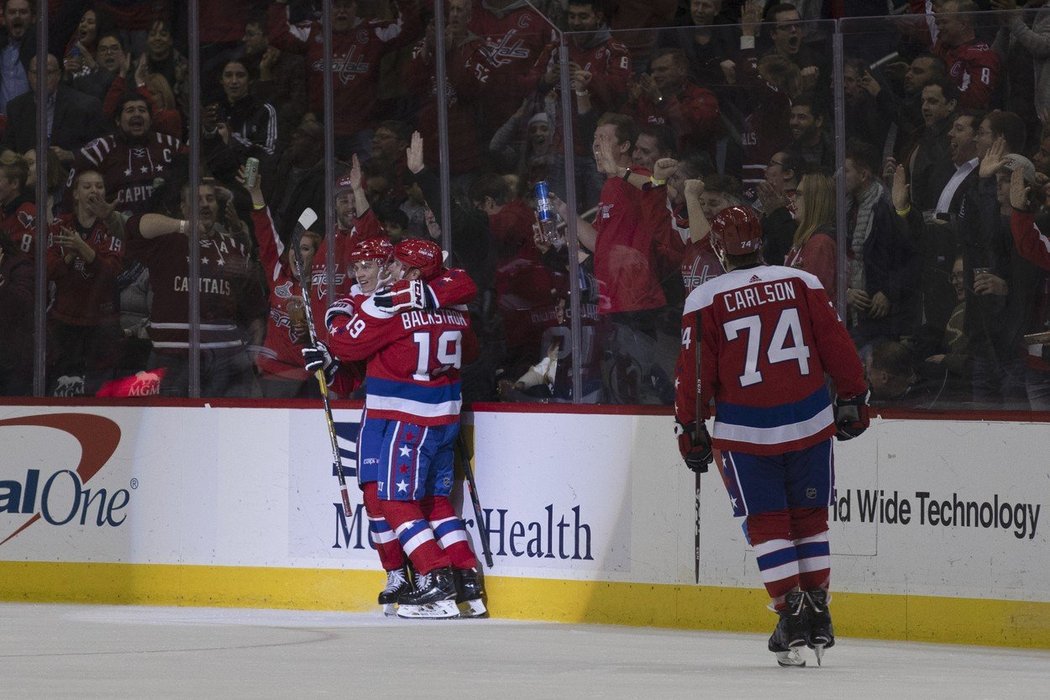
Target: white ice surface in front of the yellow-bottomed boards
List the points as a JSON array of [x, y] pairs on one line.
[[136, 652]]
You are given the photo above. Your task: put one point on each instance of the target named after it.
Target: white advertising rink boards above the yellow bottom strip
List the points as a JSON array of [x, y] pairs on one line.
[[570, 497]]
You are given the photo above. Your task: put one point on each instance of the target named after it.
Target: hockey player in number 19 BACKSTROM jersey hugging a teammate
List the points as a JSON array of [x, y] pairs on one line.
[[414, 345]]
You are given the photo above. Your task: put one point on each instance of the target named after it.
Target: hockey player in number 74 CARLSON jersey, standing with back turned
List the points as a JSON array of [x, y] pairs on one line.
[[767, 337]]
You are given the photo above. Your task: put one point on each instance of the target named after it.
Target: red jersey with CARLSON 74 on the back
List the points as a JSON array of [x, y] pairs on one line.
[[769, 335]]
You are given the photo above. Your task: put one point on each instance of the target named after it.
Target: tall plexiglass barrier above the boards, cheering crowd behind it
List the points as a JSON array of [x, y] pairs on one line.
[[876, 151]]
